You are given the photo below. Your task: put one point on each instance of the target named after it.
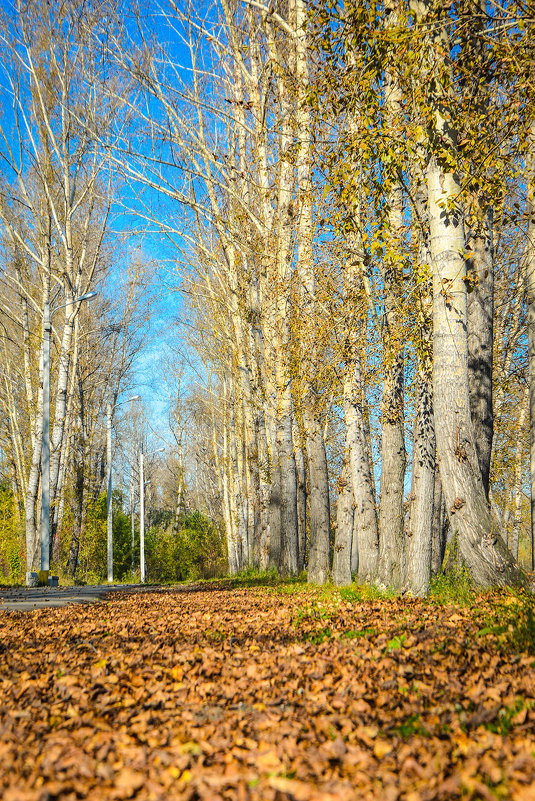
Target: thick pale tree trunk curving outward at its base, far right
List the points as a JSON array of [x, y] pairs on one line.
[[480, 544]]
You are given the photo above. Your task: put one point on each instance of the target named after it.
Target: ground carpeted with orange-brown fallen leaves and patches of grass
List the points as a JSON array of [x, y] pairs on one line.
[[269, 694]]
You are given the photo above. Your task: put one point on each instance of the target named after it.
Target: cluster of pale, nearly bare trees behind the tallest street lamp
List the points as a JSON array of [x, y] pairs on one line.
[[54, 231]]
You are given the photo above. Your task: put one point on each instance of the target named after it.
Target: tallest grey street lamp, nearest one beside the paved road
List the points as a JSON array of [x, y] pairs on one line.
[[45, 442]]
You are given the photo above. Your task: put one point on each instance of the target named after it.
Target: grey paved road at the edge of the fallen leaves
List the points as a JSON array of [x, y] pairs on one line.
[[25, 599]]
